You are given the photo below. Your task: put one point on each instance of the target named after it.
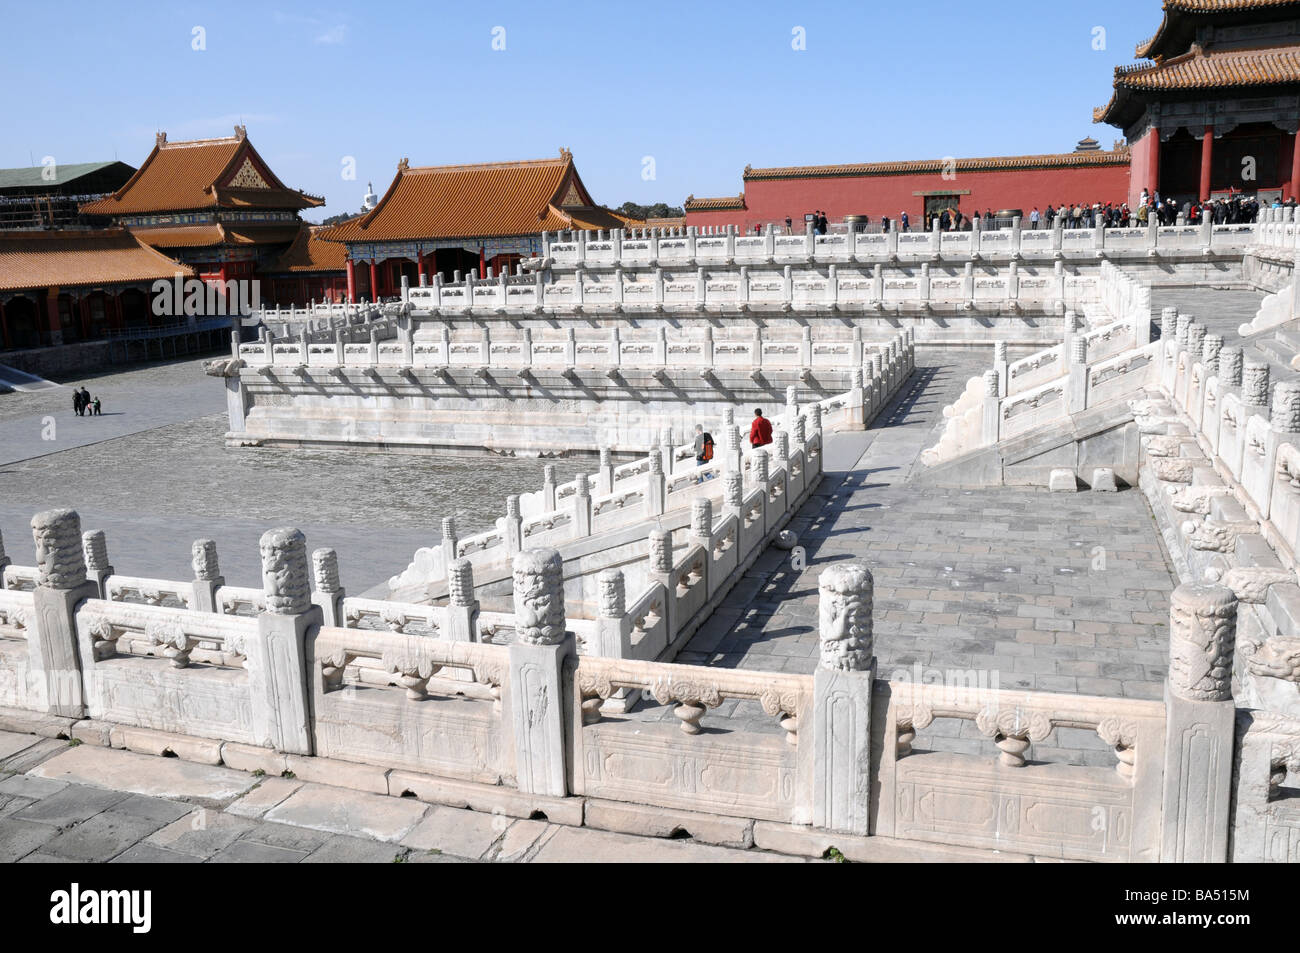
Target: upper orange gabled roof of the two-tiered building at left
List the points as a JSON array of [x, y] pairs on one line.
[[202, 174]]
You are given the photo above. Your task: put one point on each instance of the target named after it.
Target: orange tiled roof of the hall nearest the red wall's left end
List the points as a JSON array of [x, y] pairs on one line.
[[491, 200]]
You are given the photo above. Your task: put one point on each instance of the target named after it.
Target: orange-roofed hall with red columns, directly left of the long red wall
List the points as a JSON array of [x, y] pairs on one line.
[[447, 219]]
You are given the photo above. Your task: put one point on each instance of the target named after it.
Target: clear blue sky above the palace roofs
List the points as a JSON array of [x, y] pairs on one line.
[[703, 88]]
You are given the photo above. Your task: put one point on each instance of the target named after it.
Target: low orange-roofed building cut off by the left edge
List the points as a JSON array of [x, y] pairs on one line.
[[66, 287]]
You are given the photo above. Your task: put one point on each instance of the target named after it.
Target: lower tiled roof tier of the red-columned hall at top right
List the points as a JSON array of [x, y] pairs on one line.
[[1201, 70]]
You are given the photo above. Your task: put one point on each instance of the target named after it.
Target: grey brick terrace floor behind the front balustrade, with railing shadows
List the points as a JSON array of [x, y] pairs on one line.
[[1000, 588]]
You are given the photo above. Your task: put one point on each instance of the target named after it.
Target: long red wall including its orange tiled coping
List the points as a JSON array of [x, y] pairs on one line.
[[922, 189]]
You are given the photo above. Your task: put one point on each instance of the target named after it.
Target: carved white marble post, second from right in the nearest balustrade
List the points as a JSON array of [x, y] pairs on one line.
[[842, 701]]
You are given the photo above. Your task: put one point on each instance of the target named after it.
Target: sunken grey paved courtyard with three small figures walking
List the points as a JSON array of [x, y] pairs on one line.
[[162, 478]]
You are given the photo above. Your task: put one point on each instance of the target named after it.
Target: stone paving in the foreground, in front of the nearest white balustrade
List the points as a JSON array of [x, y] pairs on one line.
[[63, 804]]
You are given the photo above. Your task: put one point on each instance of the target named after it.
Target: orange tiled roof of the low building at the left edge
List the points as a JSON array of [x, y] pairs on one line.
[[80, 259]]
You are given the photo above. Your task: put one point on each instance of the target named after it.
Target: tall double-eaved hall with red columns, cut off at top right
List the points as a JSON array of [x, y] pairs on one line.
[[1216, 106]]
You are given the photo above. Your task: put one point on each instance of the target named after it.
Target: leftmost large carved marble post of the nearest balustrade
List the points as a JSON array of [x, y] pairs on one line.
[[54, 664]]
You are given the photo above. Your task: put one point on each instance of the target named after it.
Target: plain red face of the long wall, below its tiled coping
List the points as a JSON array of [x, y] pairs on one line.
[[772, 201]]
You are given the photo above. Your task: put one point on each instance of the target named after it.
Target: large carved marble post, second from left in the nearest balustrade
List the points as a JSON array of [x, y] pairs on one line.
[[278, 662]]
